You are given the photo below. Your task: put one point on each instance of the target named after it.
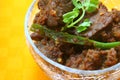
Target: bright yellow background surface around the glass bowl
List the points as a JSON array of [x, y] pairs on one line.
[[16, 62]]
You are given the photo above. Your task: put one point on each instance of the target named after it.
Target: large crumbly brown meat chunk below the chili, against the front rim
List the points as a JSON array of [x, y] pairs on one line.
[[93, 59]]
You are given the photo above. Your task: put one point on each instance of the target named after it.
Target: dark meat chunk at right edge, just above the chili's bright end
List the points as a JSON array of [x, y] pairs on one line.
[[112, 32]]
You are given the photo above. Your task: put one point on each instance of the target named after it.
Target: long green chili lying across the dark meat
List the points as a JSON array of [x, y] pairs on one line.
[[68, 38]]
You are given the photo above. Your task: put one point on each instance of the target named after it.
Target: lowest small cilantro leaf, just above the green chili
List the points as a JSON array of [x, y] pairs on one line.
[[83, 26]]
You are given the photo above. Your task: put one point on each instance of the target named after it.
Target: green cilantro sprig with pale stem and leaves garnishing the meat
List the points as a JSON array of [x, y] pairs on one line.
[[71, 18]]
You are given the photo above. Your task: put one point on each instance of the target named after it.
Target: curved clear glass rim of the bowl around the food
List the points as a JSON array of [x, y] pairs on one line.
[[28, 21]]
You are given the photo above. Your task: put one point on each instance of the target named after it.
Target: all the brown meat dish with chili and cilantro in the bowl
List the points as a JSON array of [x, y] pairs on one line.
[[78, 34]]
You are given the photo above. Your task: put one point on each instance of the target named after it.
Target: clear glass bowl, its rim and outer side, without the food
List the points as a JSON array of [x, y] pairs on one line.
[[57, 71]]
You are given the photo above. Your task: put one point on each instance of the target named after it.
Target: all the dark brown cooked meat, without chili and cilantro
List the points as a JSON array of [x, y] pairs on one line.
[[78, 56]]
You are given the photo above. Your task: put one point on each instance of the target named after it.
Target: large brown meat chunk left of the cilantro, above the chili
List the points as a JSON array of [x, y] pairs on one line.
[[51, 12]]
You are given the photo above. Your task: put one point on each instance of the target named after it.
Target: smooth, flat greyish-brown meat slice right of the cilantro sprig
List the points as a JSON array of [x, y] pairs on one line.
[[100, 20]]
